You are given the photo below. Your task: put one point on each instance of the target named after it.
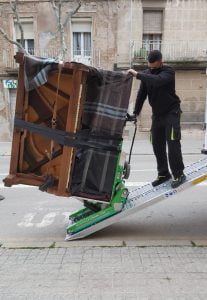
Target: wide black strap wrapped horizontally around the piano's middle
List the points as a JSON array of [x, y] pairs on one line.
[[78, 140]]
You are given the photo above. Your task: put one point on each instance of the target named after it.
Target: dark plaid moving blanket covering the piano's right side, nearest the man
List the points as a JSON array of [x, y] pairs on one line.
[[105, 109]]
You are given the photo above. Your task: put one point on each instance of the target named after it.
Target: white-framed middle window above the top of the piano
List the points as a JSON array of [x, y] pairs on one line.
[[81, 31]]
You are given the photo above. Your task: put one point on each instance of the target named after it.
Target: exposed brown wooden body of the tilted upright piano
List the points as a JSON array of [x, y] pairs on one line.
[[31, 153]]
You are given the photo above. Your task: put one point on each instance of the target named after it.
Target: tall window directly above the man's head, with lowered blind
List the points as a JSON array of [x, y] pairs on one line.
[[152, 29]]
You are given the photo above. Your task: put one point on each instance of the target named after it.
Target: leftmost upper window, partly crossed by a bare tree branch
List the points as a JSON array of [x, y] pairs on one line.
[[27, 24]]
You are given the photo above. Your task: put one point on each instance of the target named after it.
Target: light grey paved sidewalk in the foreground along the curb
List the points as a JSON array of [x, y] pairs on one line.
[[119, 273]]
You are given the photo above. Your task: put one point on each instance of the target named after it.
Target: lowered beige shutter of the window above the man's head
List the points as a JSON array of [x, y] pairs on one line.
[[152, 21]]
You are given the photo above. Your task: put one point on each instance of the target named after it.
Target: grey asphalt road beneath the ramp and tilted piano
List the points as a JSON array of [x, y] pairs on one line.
[[30, 216]]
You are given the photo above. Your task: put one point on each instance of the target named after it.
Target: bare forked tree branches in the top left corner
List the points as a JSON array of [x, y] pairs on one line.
[[20, 44]]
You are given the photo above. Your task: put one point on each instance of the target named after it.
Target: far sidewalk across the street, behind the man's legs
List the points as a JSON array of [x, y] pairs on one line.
[[192, 143]]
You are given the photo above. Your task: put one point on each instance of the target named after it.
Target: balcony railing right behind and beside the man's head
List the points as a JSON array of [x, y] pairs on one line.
[[172, 50]]
